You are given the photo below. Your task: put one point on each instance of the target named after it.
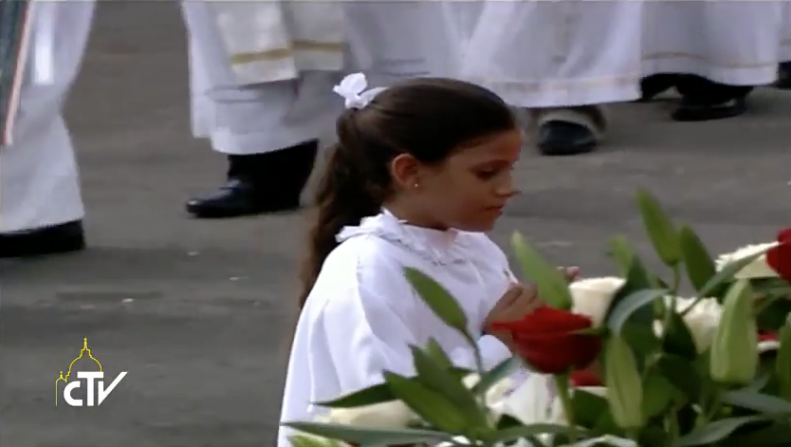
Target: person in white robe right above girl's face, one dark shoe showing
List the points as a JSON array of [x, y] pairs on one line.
[[560, 60]]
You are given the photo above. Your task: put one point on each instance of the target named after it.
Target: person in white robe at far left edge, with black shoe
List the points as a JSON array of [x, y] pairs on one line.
[[41, 207]]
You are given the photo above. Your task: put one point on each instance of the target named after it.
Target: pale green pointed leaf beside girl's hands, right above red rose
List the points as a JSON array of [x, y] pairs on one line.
[[553, 288]]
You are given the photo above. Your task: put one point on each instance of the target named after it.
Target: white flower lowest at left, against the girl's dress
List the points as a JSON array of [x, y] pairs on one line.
[[393, 414]]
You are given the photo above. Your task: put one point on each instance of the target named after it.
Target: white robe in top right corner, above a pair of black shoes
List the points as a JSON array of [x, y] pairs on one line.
[[729, 42]]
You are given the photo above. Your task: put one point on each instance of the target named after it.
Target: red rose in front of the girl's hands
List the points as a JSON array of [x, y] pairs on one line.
[[548, 340]]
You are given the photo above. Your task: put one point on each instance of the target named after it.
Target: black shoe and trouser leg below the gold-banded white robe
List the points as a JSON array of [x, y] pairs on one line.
[[259, 183]]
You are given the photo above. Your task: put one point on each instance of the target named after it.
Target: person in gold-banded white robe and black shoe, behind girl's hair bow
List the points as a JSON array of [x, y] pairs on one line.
[[262, 75]]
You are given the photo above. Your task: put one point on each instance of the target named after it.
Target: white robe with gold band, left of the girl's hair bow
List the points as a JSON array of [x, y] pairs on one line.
[[260, 104]]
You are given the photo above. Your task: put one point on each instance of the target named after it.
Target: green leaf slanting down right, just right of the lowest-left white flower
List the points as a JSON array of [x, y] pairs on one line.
[[430, 405]]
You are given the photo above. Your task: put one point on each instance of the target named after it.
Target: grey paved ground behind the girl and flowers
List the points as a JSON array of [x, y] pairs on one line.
[[196, 312]]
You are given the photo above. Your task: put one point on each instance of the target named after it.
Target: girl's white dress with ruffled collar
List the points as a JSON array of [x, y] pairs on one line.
[[362, 314]]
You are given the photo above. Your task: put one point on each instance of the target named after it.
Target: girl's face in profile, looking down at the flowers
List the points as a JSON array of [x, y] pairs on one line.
[[469, 189]]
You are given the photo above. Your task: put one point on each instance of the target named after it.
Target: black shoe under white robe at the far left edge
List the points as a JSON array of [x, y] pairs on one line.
[[62, 238]]
